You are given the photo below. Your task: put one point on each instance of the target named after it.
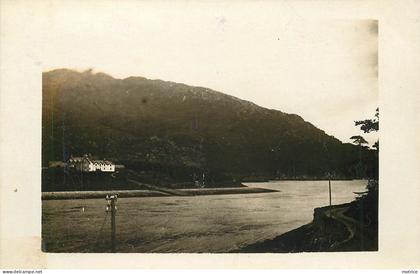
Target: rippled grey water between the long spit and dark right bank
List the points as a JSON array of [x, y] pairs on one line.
[[214, 223]]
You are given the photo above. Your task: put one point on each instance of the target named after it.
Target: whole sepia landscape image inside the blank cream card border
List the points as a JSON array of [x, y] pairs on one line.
[[210, 134]]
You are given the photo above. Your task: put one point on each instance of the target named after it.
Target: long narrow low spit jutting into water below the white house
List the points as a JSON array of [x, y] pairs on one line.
[[63, 195]]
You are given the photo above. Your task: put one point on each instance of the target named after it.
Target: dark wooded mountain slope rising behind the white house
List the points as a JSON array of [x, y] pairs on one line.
[[159, 127]]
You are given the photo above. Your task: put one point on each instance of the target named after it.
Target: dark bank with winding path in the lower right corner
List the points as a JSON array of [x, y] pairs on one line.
[[332, 229]]
